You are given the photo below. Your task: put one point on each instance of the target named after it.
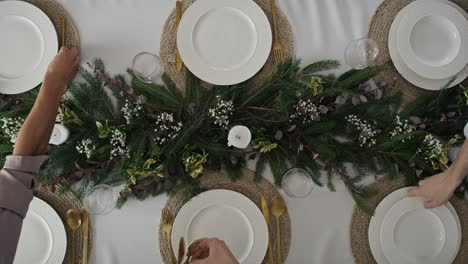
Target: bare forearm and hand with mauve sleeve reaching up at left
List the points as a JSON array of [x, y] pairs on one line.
[[17, 178]]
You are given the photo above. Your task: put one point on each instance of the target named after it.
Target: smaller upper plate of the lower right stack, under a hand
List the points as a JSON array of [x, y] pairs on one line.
[[412, 234]]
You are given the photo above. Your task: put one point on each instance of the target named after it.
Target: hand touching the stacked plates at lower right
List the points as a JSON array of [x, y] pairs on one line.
[[436, 190]]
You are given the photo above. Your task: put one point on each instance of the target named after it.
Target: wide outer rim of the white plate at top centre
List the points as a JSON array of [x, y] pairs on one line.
[[203, 70]]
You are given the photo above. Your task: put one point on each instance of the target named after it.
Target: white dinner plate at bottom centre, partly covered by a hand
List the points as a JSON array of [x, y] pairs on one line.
[[226, 215]]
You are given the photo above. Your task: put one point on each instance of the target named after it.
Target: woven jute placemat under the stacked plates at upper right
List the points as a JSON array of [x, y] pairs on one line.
[[379, 29]]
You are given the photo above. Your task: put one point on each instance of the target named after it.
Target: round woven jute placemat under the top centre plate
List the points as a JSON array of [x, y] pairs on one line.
[[169, 44]]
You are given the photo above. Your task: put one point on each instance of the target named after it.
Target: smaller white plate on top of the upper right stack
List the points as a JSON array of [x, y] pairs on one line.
[[433, 38]]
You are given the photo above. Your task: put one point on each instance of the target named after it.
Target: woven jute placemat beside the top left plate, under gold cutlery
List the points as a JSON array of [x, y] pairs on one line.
[[55, 12]]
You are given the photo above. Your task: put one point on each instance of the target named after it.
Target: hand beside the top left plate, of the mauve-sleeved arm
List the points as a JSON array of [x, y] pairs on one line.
[[63, 68]]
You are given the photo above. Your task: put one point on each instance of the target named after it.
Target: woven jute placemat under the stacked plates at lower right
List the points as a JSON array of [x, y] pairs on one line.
[[360, 223]]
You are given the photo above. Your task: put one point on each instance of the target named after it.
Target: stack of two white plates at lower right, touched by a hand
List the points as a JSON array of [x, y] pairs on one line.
[[402, 231]]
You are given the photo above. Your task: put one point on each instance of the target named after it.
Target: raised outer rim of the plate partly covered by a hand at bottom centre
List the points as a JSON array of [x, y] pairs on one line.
[[229, 198]]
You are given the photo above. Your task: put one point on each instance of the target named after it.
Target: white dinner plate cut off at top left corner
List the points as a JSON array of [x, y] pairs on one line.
[[28, 44]]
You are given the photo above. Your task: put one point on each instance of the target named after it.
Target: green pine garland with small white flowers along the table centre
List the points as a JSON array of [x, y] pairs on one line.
[[154, 140]]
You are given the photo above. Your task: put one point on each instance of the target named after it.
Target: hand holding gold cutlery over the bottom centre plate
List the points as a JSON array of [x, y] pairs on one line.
[[219, 253]]
